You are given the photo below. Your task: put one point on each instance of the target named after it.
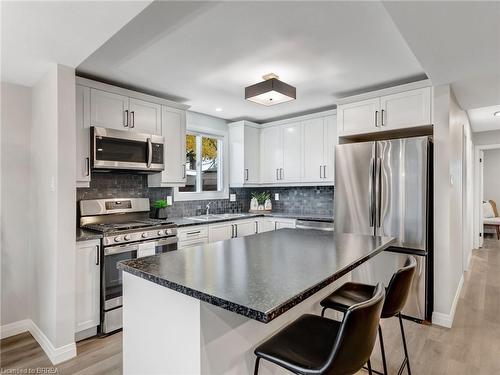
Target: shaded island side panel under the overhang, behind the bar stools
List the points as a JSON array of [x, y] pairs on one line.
[[228, 339]]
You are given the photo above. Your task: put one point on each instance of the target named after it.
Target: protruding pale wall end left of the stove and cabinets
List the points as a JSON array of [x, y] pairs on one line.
[[53, 202]]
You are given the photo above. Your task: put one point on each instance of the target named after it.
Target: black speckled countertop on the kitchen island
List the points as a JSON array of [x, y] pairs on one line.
[[259, 276]]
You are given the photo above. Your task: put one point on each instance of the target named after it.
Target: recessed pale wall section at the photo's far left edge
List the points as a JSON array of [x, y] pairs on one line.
[[17, 265]]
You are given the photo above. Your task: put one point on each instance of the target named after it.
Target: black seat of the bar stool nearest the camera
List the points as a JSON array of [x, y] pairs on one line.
[[290, 349]]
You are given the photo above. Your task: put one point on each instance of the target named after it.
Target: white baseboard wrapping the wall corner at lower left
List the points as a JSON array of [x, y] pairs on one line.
[[56, 355]]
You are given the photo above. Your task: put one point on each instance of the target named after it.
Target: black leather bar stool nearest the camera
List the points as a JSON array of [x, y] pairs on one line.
[[316, 345]]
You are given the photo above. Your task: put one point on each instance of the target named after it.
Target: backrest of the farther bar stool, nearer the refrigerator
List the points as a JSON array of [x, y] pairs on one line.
[[399, 288]]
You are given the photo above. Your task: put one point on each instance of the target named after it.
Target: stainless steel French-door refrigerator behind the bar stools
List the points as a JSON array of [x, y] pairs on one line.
[[384, 188]]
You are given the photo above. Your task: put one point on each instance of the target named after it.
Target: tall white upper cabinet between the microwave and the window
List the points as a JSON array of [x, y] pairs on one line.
[[173, 129]]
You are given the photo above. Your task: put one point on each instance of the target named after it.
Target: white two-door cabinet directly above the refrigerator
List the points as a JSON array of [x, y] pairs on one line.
[[405, 109]]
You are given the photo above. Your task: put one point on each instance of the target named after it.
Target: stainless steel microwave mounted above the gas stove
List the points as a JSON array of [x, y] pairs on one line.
[[125, 150]]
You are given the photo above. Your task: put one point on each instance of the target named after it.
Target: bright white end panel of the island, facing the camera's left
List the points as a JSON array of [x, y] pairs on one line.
[[161, 329]]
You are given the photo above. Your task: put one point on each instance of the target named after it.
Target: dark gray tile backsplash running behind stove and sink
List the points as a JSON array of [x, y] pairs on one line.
[[299, 200]]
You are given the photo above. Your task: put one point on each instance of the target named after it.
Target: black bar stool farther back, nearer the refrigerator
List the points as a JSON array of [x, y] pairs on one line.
[[396, 295]]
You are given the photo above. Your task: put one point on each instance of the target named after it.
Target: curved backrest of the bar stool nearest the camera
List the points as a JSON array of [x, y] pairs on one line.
[[356, 337]]
